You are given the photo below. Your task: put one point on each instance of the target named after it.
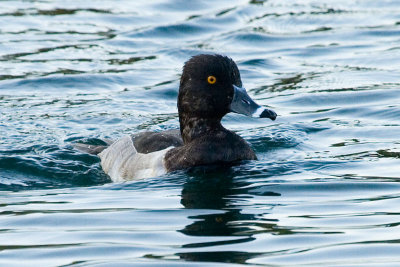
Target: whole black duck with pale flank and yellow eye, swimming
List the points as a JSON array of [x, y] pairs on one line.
[[210, 87]]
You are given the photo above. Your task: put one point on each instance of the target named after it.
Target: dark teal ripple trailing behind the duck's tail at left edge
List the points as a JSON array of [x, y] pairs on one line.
[[48, 167]]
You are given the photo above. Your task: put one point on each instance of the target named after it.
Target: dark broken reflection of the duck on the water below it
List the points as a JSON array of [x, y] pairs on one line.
[[217, 192]]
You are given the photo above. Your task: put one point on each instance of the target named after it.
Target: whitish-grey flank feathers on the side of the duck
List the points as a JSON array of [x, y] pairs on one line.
[[122, 162]]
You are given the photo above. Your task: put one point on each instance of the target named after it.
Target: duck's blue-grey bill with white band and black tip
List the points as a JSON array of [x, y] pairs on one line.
[[243, 104]]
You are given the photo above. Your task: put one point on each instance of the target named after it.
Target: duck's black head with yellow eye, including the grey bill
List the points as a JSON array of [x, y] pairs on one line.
[[211, 87]]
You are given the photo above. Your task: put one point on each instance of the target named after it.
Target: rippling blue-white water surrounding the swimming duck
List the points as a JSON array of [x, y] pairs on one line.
[[324, 192]]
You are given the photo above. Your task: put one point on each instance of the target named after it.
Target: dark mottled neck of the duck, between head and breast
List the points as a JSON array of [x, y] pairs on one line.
[[195, 127]]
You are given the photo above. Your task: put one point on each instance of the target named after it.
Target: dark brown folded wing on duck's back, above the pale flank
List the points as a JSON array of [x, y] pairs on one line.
[[148, 142]]
